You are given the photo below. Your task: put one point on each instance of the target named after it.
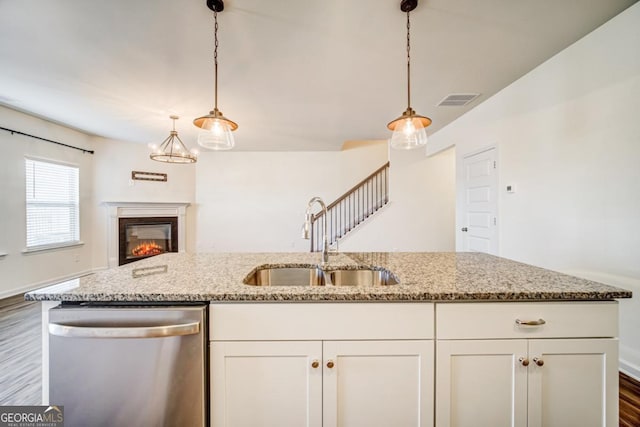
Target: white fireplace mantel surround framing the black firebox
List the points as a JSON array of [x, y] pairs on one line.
[[117, 210]]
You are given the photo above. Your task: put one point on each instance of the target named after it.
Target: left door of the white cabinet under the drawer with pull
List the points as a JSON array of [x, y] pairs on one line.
[[481, 383]]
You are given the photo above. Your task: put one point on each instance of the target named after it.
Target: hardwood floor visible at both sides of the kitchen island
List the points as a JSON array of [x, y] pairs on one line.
[[21, 366]]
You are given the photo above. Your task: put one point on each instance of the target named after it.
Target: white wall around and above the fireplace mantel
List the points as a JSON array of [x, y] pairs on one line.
[[114, 161]]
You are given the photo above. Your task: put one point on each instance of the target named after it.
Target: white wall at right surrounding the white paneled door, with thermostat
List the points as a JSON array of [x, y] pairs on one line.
[[568, 135]]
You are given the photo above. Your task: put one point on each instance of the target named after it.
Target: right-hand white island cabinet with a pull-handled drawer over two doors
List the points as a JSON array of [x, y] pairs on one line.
[[494, 369]]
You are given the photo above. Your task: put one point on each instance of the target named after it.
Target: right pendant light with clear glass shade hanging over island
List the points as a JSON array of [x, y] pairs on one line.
[[408, 129]]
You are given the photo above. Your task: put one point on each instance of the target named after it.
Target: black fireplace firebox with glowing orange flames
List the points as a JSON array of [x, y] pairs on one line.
[[141, 238]]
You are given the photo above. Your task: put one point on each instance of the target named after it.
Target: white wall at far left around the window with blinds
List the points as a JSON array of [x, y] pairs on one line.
[[19, 271]]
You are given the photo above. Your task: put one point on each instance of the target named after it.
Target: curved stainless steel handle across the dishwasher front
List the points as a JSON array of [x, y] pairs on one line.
[[69, 331]]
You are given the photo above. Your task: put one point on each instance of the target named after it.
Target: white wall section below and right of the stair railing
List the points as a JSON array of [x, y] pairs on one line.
[[420, 216]]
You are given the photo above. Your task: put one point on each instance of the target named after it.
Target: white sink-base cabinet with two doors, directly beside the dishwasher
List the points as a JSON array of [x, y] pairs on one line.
[[370, 365]]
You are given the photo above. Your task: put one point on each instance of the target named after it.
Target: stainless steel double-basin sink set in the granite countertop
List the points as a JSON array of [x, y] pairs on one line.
[[317, 276]]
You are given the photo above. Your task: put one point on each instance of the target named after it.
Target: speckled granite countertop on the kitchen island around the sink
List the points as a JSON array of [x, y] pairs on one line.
[[430, 276]]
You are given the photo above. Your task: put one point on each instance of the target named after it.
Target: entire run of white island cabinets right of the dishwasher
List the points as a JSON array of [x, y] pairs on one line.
[[373, 364]]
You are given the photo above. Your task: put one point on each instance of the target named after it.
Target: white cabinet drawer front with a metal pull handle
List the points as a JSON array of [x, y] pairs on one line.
[[588, 319]]
